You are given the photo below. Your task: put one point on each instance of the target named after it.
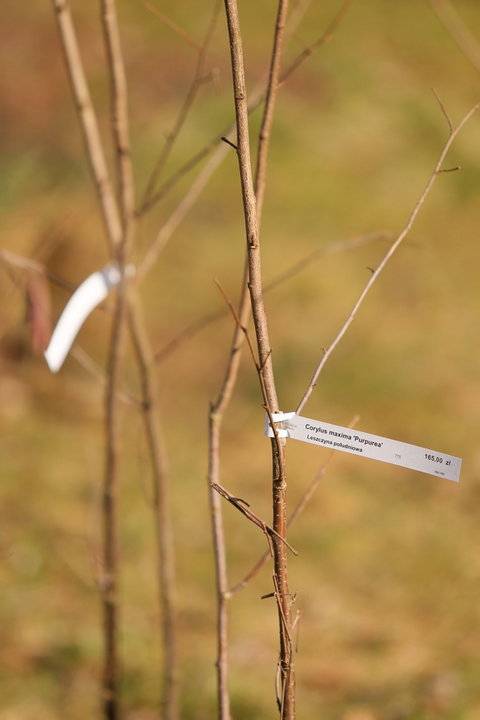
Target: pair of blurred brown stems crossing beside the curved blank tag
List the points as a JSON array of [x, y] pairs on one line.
[[120, 232]]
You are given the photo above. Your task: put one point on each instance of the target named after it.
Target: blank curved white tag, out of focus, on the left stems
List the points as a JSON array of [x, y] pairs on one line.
[[86, 297]]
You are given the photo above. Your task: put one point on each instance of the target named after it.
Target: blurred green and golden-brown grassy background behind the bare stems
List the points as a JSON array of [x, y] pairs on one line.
[[388, 574]]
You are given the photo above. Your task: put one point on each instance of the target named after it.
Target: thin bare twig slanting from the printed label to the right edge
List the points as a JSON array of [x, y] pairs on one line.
[[437, 170]]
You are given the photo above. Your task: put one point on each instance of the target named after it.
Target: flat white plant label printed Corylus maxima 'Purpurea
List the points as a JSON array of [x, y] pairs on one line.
[[364, 444]]
